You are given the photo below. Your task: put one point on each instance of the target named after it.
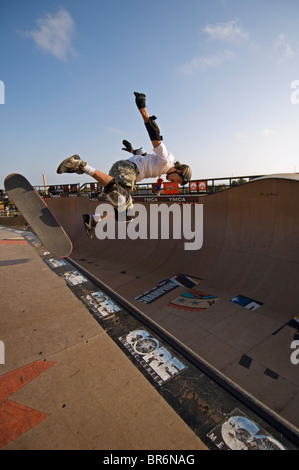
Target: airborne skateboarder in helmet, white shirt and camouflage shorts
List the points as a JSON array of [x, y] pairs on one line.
[[123, 175]]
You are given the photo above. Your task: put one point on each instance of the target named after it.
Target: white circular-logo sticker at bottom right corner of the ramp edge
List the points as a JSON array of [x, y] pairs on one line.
[[238, 432]]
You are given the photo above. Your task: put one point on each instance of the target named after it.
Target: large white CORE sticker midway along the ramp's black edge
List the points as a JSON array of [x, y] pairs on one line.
[[152, 356]]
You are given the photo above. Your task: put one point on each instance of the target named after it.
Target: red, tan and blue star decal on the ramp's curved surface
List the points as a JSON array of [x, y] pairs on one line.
[[193, 300]]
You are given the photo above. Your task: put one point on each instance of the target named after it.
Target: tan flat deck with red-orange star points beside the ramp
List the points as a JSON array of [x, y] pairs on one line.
[[65, 384]]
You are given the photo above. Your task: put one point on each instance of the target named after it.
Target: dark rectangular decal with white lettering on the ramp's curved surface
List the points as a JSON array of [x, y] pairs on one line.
[[166, 286]]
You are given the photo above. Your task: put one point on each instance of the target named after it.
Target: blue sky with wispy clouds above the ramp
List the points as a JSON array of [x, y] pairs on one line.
[[217, 73]]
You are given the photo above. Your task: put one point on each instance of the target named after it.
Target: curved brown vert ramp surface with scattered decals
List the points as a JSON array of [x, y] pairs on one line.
[[235, 301]]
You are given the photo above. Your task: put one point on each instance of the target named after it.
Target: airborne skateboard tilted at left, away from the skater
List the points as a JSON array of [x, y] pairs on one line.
[[38, 215]]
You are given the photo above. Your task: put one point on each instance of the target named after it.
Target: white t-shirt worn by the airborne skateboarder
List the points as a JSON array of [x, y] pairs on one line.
[[153, 165]]
